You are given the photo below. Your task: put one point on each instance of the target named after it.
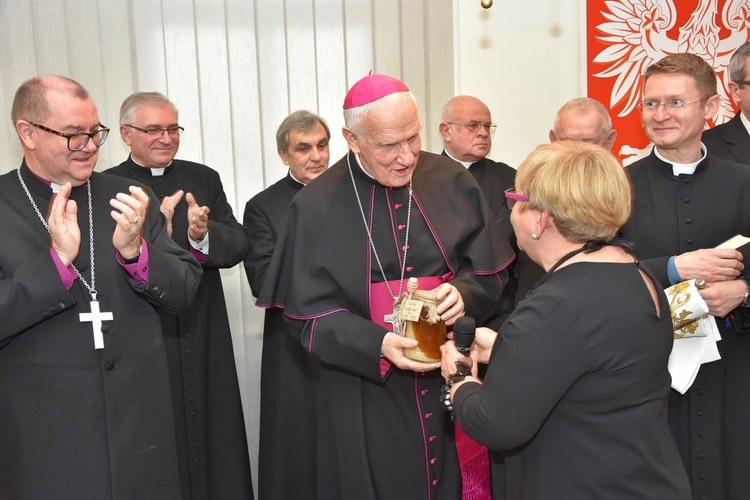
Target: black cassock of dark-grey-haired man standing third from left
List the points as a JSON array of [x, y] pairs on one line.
[[289, 374]]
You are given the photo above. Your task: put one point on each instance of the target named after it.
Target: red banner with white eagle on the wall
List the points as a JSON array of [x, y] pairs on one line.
[[623, 37]]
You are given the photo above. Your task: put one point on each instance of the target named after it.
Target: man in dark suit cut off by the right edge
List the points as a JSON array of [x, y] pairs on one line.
[[731, 140]]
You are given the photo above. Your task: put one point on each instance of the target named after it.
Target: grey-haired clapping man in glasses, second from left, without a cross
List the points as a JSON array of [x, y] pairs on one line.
[[211, 439]]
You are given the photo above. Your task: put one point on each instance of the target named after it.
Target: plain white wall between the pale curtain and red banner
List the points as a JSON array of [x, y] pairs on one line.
[[524, 60]]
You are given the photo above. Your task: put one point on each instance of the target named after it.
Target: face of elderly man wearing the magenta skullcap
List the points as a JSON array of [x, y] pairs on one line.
[[387, 140]]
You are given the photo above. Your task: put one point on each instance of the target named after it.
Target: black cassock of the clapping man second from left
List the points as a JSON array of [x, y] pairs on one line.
[[211, 439]]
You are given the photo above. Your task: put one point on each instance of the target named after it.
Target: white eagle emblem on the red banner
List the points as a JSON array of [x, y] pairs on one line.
[[637, 34]]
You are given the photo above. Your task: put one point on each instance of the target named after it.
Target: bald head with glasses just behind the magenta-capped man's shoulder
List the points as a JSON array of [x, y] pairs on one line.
[[460, 115]]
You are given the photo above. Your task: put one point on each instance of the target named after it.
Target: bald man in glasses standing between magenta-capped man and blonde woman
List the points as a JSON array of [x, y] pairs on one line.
[[467, 131]]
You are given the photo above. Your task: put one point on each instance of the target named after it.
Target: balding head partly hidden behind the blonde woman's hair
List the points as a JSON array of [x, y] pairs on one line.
[[586, 120]]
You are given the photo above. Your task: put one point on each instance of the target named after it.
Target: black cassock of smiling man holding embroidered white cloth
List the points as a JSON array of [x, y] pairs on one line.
[[673, 215]]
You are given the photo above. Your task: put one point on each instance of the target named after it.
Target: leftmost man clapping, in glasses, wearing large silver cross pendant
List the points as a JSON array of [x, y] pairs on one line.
[[85, 264]]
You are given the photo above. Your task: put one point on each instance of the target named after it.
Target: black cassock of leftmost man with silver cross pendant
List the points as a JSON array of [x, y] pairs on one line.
[[78, 422]]
